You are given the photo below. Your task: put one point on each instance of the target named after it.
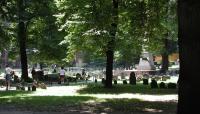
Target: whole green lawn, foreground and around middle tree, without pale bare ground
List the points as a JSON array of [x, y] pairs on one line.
[[22, 100]]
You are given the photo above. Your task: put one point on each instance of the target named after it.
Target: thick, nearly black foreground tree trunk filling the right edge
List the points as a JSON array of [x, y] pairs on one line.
[[189, 49]]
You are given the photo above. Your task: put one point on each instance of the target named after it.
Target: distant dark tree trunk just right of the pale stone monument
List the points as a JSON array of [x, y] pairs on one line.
[[165, 55]]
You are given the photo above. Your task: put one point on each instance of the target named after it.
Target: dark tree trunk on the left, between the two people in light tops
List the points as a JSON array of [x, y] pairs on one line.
[[22, 40]]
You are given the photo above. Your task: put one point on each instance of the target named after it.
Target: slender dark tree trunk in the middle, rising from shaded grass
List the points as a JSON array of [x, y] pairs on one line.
[[111, 46]]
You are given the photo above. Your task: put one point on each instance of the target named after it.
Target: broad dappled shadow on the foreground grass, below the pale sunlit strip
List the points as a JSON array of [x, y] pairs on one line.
[[82, 104]]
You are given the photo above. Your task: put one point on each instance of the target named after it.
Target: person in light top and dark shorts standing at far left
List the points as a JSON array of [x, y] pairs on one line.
[[8, 72]]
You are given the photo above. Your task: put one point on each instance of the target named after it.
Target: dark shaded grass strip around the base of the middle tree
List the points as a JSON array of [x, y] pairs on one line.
[[119, 89]]
